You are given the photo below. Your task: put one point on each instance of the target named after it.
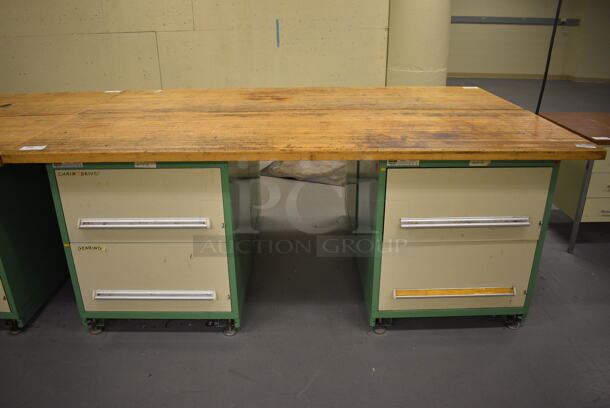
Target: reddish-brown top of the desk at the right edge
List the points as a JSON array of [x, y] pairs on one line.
[[594, 126]]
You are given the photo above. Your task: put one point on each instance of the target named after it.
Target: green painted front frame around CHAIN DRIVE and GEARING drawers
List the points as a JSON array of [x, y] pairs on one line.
[[234, 314]]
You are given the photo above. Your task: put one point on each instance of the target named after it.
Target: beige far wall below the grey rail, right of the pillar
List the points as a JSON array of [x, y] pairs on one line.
[[505, 49]]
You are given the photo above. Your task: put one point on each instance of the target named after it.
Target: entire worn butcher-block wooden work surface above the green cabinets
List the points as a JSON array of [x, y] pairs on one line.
[[434, 123]]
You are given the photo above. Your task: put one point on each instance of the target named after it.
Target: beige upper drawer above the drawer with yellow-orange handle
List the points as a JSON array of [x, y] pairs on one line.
[[465, 204]]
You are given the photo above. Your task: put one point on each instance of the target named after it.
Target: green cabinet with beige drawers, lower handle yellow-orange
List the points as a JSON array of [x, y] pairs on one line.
[[452, 239]]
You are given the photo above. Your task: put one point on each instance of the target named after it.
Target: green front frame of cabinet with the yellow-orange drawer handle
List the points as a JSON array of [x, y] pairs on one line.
[[376, 313]]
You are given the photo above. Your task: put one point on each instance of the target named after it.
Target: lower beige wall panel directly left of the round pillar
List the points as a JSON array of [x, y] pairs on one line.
[[251, 58]]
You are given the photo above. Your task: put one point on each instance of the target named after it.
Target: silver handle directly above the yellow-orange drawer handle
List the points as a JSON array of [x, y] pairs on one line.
[[462, 222]]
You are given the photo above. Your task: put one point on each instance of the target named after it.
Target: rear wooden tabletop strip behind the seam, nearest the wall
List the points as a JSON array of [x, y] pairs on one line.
[[256, 100]]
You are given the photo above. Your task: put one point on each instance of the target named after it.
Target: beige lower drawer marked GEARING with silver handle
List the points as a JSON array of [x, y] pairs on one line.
[[152, 277]]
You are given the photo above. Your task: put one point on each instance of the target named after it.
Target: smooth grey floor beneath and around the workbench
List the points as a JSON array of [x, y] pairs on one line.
[[305, 341]]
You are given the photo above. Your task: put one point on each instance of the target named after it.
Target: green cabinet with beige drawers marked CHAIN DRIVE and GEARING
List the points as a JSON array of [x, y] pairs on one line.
[[156, 242]]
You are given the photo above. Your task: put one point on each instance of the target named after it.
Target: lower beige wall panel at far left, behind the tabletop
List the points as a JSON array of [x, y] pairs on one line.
[[79, 62]]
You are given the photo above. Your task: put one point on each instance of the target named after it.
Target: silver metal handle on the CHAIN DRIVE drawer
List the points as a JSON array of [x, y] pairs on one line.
[[138, 223]]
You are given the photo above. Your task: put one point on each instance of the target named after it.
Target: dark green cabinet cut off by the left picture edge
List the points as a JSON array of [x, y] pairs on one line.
[[32, 265]]
